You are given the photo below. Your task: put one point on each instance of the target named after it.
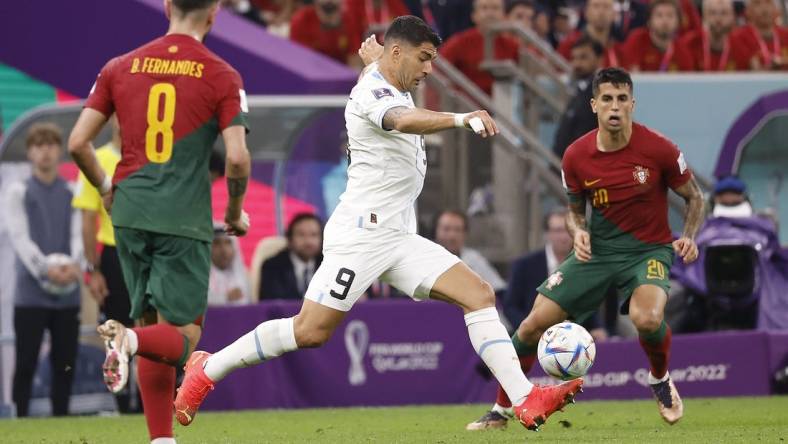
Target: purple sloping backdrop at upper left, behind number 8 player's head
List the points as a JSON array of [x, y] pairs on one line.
[[43, 37]]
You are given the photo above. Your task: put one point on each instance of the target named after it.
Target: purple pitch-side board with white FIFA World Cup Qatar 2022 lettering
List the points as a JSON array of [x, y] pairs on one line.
[[402, 352]]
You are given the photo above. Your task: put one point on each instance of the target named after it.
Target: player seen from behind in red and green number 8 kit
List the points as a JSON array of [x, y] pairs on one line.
[[173, 97]]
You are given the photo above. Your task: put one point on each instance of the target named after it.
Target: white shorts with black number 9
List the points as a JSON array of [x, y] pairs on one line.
[[354, 257]]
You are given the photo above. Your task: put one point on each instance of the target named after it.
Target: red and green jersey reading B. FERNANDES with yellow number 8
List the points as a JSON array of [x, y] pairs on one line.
[[172, 97]]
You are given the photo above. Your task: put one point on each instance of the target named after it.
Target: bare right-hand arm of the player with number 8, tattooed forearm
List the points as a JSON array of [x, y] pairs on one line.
[[238, 166]]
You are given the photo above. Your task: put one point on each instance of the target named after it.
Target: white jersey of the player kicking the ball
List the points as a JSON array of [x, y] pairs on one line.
[[387, 168]]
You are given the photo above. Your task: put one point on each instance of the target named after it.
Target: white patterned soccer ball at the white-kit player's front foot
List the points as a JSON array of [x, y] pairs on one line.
[[566, 351]]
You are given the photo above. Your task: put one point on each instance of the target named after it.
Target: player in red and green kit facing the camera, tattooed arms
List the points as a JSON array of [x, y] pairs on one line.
[[625, 170]]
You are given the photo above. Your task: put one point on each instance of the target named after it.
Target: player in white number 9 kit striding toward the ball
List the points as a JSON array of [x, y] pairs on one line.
[[372, 234]]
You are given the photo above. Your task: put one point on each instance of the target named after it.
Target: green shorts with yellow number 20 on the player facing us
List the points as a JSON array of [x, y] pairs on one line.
[[581, 287]]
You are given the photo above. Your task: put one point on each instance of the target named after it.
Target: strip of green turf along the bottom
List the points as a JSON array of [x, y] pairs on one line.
[[745, 420]]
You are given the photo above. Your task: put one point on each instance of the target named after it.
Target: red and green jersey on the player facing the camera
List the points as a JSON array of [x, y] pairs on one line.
[[628, 188]]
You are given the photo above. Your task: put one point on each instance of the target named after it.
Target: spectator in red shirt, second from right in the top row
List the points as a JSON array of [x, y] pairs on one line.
[[711, 48]]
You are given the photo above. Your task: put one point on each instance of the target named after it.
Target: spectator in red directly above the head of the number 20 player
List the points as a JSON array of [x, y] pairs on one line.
[[599, 16]]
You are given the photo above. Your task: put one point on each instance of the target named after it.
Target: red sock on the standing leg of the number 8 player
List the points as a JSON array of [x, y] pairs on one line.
[[157, 388]]
